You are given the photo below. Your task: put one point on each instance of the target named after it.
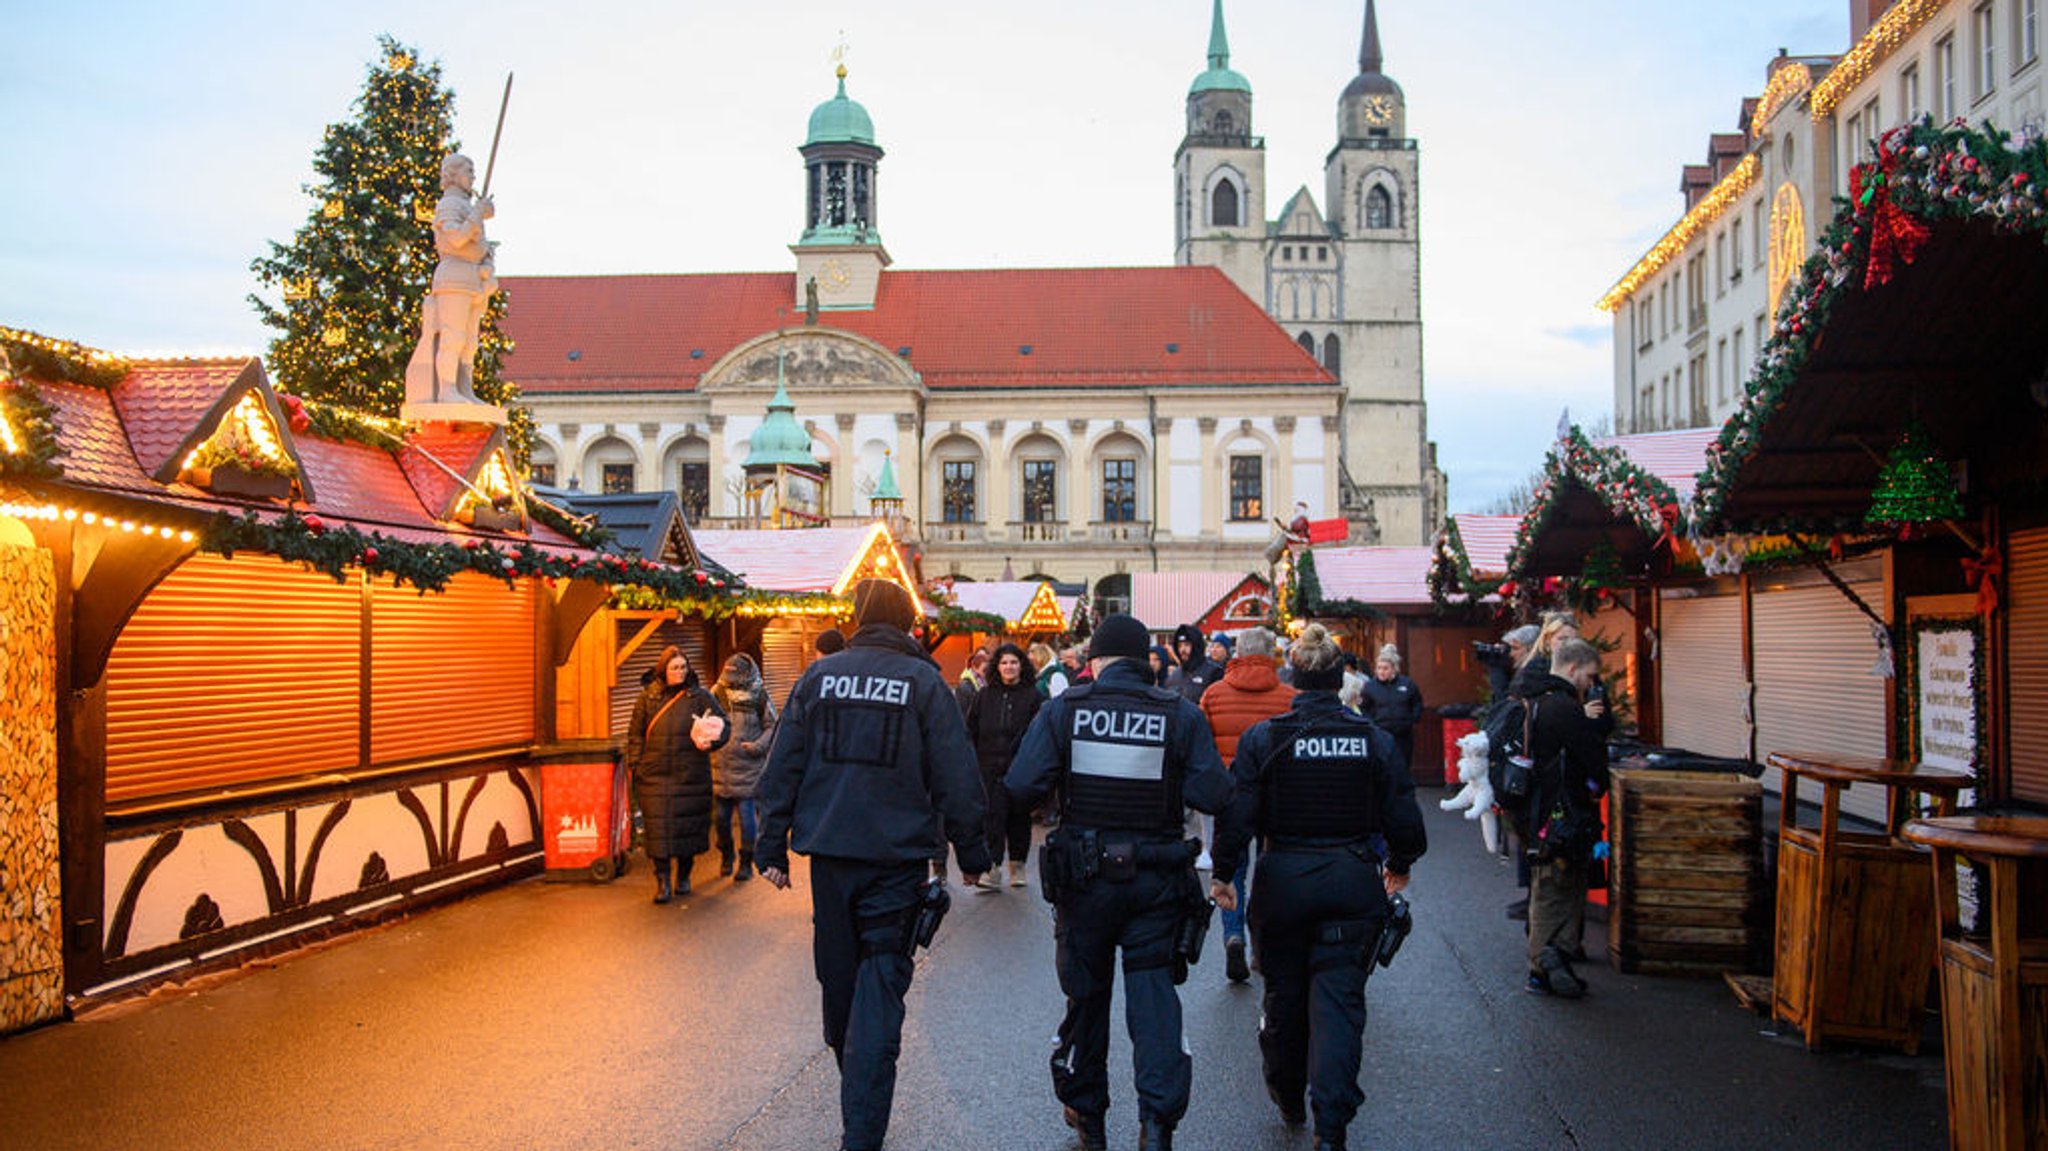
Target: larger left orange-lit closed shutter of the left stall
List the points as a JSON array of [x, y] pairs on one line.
[[232, 673]]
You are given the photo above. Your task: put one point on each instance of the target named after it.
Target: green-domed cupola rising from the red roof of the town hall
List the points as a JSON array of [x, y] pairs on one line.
[[841, 255]]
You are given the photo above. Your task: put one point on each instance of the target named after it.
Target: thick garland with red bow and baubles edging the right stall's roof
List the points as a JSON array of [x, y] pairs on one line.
[[1926, 175]]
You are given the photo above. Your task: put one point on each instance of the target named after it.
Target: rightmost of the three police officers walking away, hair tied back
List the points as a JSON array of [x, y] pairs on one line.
[[1322, 787]]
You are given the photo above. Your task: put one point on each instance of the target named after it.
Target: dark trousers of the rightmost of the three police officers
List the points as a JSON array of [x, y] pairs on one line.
[[1316, 982]]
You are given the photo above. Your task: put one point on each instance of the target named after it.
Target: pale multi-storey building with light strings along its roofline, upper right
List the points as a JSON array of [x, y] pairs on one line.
[[1695, 310]]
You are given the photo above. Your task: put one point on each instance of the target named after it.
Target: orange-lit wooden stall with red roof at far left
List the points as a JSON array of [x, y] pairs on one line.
[[300, 658]]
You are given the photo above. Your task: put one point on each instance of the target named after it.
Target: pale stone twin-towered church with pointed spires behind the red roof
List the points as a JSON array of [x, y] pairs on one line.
[[1345, 280]]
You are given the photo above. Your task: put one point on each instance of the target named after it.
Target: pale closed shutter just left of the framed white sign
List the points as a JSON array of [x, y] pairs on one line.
[[1816, 685]]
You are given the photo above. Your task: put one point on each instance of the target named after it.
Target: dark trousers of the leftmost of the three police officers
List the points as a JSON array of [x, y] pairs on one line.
[[857, 941]]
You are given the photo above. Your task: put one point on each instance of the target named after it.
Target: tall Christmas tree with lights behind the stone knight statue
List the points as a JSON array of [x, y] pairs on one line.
[[353, 278]]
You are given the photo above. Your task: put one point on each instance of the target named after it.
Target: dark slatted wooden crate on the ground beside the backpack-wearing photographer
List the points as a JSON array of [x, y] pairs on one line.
[[1687, 892]]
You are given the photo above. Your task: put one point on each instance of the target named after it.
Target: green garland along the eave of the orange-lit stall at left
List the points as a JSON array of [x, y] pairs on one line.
[[429, 566]]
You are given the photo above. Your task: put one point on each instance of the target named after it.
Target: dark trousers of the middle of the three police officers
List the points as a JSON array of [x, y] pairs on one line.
[[1091, 925]]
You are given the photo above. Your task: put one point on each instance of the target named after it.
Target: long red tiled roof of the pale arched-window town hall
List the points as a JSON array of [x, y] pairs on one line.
[[964, 329]]
